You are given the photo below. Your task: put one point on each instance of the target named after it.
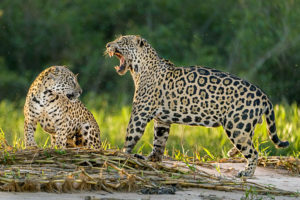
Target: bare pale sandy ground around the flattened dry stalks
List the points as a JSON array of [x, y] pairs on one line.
[[275, 177]]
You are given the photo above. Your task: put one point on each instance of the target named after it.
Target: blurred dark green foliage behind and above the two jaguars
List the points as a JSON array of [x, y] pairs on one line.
[[256, 40]]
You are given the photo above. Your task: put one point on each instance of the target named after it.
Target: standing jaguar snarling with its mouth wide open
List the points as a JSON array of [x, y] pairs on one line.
[[196, 95]]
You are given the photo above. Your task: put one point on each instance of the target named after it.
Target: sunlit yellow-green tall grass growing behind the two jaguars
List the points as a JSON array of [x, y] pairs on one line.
[[113, 118]]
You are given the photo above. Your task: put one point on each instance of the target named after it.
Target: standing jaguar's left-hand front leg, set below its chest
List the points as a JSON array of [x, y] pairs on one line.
[[136, 127]]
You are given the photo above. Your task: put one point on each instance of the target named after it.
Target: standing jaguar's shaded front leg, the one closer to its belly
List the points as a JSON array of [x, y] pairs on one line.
[[161, 134]]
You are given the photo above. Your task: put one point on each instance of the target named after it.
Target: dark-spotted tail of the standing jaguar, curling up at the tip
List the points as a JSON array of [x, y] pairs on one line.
[[270, 118]]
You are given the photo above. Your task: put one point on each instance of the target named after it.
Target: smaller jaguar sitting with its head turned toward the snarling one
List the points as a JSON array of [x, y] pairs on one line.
[[52, 100]]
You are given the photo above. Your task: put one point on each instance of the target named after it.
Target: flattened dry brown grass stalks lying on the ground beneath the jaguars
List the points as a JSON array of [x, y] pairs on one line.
[[70, 170]]
